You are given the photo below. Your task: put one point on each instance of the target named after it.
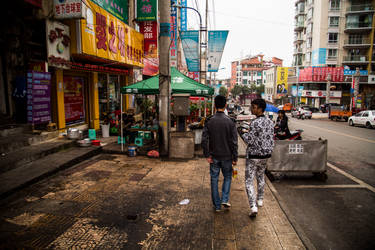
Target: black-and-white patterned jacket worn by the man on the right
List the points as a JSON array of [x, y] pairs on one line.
[[260, 139]]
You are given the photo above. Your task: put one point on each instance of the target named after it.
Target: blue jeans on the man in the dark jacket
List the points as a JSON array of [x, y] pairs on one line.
[[226, 169]]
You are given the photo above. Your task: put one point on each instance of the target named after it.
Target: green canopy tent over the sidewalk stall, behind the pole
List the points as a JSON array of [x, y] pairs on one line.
[[181, 84]]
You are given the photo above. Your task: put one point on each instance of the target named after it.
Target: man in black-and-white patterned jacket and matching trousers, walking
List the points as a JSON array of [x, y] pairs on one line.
[[260, 145]]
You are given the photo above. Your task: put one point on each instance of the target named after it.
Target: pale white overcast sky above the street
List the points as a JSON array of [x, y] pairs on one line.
[[255, 26]]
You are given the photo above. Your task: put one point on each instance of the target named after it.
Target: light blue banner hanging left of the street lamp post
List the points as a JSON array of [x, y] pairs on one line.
[[190, 45]]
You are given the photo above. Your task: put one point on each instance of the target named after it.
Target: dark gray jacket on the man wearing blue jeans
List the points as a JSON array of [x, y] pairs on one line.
[[219, 138]]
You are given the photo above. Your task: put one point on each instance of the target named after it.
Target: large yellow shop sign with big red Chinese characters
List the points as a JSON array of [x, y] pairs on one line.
[[105, 36]]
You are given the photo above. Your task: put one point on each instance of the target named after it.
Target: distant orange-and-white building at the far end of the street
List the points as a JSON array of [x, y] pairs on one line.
[[252, 70]]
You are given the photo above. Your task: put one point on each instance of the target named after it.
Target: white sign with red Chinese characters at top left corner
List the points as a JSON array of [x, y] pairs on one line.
[[69, 9]]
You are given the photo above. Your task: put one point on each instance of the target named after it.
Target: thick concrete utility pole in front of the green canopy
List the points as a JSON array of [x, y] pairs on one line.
[[164, 77]]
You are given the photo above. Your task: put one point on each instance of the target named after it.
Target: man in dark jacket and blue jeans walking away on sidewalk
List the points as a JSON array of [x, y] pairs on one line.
[[220, 146]]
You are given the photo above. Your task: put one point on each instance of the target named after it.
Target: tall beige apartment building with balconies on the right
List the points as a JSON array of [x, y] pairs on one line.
[[336, 33]]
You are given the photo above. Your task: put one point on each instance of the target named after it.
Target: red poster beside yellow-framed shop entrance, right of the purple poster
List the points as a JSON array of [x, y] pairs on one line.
[[74, 99]]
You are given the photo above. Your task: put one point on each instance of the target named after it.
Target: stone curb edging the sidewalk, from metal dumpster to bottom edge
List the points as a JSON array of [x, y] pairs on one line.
[[301, 234]]
